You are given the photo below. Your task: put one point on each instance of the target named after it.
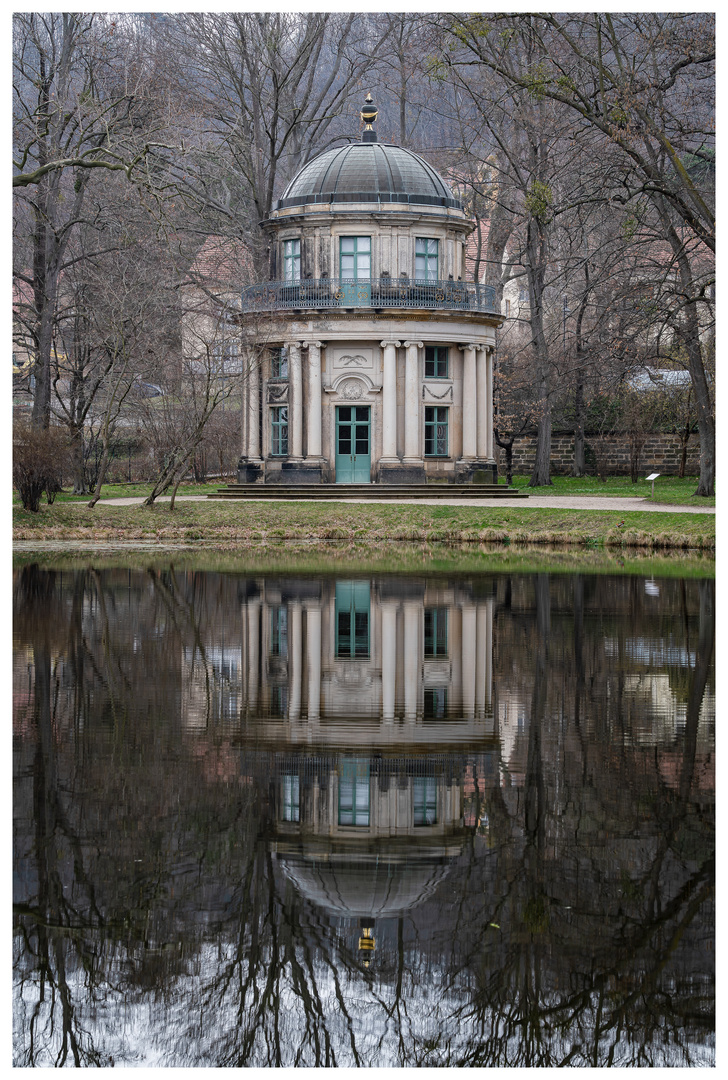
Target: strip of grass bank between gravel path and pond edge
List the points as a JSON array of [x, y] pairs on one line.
[[226, 526]]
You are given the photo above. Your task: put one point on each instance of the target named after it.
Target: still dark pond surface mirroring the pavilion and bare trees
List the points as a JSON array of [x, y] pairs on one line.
[[422, 821]]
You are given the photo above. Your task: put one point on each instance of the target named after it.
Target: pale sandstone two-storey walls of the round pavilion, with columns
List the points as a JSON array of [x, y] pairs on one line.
[[368, 308]]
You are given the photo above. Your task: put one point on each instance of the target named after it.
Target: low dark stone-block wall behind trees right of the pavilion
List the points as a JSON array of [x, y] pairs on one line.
[[662, 453]]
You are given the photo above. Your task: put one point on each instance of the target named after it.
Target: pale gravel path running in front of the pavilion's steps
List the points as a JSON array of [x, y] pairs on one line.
[[538, 502]]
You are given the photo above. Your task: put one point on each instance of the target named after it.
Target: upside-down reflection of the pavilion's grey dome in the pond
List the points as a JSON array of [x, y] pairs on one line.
[[356, 886]]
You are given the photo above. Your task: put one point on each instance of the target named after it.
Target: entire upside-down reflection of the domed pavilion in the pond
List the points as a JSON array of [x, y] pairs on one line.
[[367, 700]]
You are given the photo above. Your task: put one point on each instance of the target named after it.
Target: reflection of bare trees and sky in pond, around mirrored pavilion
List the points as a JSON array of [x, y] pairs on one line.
[[573, 928]]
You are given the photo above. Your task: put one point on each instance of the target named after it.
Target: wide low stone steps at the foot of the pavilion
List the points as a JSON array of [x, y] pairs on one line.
[[284, 492]]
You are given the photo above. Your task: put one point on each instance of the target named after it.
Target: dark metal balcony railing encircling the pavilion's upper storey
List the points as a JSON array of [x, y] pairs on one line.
[[381, 294]]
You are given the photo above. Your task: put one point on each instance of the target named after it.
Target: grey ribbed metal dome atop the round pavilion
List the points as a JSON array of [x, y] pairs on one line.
[[369, 172]]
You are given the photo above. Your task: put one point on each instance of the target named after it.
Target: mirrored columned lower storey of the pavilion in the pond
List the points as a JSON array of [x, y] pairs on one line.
[[403, 656]]
